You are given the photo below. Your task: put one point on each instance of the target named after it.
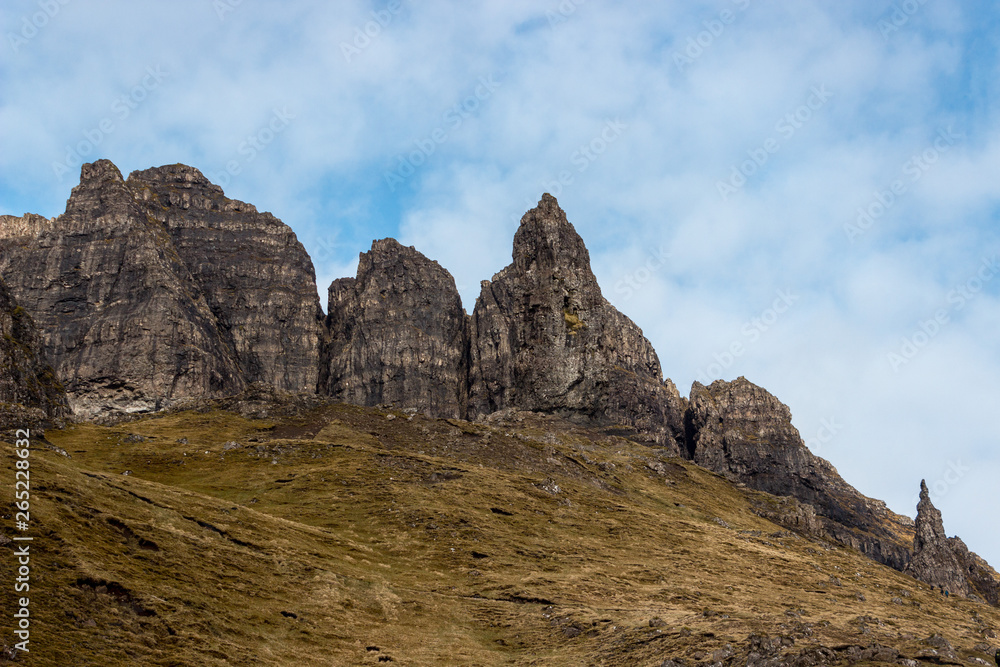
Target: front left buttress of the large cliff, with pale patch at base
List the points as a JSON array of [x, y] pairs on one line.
[[121, 317]]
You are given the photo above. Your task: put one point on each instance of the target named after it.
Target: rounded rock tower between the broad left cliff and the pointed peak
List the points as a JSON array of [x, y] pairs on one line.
[[398, 334]]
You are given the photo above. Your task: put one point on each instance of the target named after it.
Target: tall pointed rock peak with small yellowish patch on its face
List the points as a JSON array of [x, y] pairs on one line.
[[545, 339]]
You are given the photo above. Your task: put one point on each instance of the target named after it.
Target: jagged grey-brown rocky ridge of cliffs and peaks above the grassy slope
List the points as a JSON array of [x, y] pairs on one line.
[[158, 289]]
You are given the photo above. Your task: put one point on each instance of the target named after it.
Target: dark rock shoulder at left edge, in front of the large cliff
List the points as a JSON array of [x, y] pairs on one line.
[[26, 378]]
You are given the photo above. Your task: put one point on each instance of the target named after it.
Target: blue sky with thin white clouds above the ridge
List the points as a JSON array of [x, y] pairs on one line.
[[804, 194]]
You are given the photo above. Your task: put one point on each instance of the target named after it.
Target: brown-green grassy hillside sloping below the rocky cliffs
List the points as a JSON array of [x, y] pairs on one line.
[[317, 539]]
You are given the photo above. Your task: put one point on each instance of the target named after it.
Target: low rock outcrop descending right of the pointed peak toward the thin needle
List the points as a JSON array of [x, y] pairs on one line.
[[741, 431]]
